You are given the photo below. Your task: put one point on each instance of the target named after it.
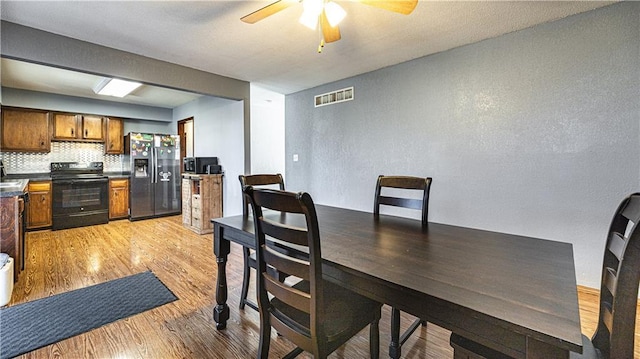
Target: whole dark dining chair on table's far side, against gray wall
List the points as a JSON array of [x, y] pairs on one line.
[[421, 203]]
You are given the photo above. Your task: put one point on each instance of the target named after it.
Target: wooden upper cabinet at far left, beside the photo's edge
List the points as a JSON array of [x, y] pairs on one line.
[[25, 130]]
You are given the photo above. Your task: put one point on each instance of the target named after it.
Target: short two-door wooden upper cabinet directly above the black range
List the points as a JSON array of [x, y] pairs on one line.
[[72, 127]]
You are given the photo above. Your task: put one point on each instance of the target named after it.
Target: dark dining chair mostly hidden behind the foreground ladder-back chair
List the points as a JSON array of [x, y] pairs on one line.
[[248, 255]]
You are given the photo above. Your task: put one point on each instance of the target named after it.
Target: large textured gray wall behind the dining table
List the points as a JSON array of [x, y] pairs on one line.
[[535, 132]]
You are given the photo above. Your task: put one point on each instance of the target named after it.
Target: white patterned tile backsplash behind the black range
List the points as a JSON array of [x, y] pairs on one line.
[[21, 162]]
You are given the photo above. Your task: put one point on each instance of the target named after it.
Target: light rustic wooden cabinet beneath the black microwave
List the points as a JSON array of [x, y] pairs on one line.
[[201, 201]]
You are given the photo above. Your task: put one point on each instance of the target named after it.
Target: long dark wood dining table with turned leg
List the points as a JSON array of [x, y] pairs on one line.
[[512, 293]]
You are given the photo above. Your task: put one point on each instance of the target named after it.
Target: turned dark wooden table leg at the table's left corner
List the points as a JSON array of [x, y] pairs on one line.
[[221, 248]]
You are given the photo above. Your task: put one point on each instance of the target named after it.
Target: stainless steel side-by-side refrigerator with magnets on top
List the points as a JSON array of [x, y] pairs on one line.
[[154, 187]]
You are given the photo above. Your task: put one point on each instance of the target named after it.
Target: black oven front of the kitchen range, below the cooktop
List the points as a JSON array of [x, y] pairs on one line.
[[80, 202]]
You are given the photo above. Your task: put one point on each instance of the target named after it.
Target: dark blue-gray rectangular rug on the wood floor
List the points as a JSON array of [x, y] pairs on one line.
[[32, 325]]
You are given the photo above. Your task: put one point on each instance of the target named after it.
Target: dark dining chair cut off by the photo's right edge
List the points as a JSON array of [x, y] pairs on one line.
[[614, 335]]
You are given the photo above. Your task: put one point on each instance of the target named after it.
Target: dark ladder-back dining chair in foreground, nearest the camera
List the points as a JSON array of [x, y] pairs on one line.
[[314, 314]]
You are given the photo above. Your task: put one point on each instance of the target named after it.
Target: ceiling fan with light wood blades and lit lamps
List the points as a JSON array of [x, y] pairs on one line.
[[327, 14]]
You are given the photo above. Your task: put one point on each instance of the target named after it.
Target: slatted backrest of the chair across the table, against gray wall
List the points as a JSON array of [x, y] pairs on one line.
[[403, 183]]
